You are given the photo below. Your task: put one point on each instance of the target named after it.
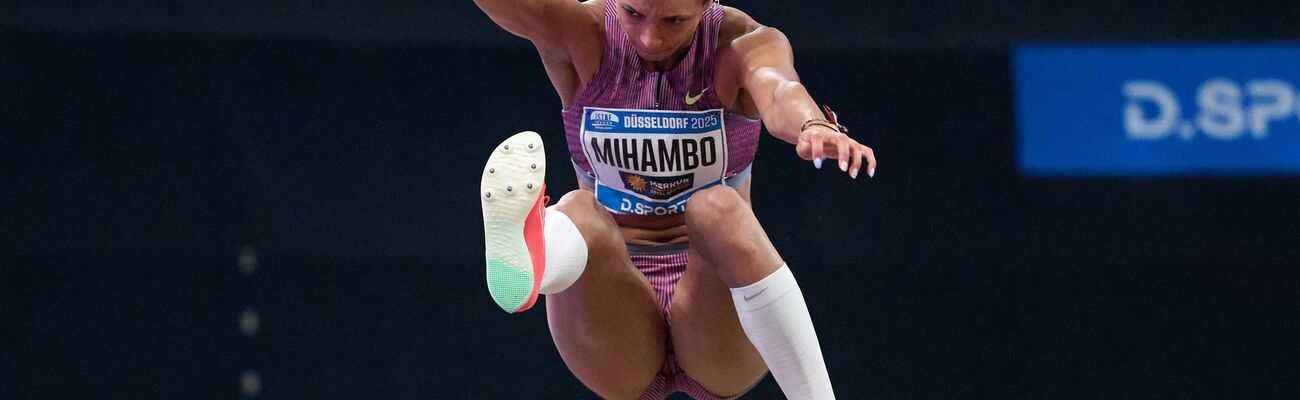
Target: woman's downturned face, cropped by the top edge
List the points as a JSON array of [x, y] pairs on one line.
[[660, 28]]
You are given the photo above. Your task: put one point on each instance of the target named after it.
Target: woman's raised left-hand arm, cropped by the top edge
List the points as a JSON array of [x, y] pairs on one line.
[[532, 20]]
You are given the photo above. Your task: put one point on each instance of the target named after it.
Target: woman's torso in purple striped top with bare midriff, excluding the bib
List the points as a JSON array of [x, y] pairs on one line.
[[597, 72]]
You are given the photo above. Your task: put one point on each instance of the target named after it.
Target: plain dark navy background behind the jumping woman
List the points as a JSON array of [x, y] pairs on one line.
[[148, 144]]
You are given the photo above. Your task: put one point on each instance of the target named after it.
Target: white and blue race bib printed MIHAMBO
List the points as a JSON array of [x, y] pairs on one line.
[[649, 163]]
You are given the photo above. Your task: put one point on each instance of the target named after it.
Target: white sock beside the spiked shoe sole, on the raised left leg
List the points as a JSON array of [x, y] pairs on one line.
[[566, 253]]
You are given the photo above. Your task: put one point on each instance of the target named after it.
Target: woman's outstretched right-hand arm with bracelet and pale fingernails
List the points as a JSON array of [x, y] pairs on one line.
[[768, 73]]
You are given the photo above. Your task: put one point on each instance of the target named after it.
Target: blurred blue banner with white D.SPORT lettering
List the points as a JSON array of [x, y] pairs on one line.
[[1189, 110]]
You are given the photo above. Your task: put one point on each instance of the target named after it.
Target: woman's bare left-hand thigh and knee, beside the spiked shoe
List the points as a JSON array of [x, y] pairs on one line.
[[609, 327]]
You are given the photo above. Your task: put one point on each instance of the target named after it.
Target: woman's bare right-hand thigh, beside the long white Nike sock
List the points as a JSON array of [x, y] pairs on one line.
[[708, 340]]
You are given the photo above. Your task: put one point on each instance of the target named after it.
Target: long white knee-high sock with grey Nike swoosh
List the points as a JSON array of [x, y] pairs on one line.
[[777, 320]]
